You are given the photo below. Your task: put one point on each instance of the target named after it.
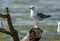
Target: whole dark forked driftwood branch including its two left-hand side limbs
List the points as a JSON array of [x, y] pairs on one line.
[[11, 30]]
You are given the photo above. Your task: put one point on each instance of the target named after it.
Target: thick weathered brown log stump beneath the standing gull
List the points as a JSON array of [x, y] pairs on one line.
[[33, 35]]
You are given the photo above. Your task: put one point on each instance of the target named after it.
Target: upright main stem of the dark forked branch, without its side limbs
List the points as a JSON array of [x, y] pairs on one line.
[[13, 31]]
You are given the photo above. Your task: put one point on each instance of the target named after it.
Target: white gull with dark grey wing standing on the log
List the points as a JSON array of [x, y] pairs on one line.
[[36, 15]]
